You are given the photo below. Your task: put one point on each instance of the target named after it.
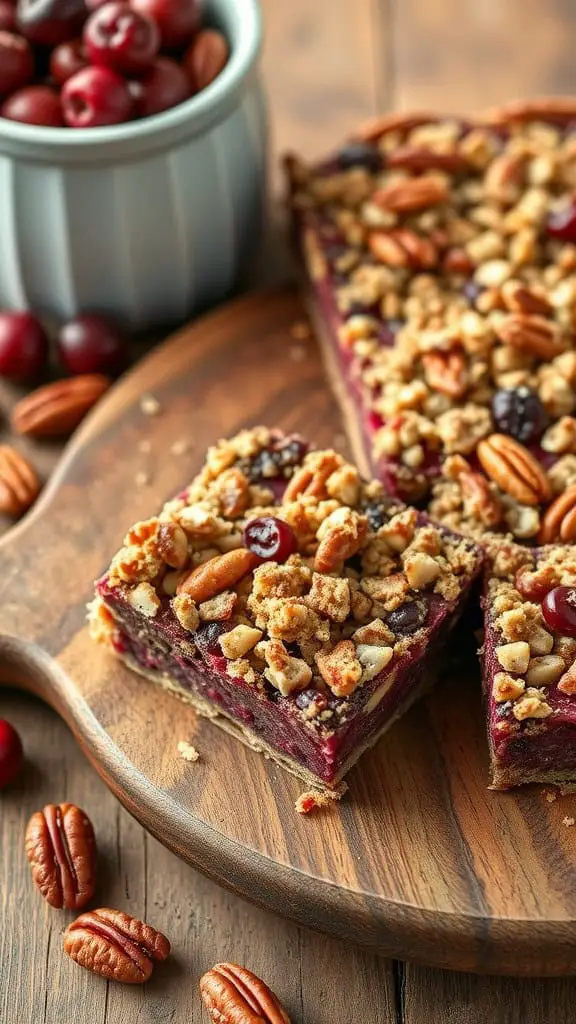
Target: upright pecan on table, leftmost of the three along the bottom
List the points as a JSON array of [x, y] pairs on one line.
[[62, 851]]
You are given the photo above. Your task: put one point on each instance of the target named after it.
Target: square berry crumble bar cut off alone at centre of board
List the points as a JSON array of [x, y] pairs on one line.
[[289, 601]]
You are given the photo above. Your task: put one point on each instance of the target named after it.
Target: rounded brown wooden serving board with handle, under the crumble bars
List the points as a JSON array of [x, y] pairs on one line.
[[420, 861]]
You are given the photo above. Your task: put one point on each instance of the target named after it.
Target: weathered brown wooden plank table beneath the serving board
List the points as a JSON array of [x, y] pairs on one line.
[[330, 63]]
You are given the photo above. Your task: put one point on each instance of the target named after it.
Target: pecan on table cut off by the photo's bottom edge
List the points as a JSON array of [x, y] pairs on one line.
[[233, 995]]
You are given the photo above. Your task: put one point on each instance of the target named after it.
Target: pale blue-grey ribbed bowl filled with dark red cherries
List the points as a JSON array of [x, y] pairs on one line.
[[134, 139]]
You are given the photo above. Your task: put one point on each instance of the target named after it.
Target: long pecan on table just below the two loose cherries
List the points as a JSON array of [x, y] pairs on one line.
[[57, 409]]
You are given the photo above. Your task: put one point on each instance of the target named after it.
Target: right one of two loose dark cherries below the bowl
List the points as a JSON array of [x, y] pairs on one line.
[[92, 345]]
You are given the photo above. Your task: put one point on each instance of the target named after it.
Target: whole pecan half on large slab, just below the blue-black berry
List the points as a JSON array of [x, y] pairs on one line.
[[514, 470]]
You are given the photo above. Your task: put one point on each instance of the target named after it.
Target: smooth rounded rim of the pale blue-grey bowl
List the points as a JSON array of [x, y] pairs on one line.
[[245, 47]]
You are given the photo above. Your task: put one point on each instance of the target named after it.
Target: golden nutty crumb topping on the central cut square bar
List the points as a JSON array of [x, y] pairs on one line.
[[349, 593]]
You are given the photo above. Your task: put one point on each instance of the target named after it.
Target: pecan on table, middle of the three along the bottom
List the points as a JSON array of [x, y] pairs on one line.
[[115, 946]]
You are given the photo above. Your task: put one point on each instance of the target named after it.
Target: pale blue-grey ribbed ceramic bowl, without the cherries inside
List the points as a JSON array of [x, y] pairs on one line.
[[148, 221]]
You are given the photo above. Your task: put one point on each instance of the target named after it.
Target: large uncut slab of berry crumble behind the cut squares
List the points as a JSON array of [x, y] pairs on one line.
[[440, 264]]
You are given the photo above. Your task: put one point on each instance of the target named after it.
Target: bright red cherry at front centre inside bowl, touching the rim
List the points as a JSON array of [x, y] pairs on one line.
[[96, 97]]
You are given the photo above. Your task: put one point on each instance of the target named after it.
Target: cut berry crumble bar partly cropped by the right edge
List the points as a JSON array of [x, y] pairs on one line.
[[530, 665]]
